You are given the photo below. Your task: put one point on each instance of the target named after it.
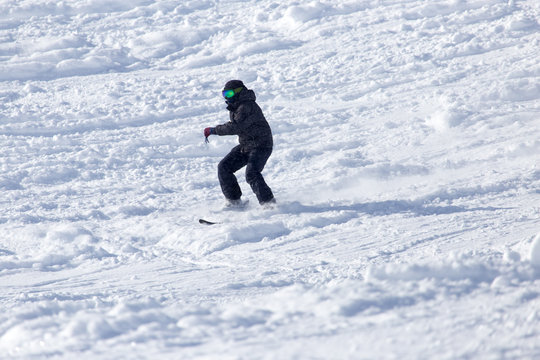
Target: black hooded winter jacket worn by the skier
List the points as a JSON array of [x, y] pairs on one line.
[[248, 122]]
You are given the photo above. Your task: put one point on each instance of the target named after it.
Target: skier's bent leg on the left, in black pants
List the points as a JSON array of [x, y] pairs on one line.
[[230, 164]]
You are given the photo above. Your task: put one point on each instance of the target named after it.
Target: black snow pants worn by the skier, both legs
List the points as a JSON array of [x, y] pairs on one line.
[[254, 160]]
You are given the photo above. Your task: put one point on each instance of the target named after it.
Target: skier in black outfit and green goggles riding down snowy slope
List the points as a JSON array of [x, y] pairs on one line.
[[255, 144]]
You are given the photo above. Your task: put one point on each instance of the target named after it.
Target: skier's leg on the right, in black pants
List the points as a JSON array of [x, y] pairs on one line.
[[255, 165]]
